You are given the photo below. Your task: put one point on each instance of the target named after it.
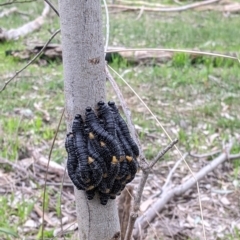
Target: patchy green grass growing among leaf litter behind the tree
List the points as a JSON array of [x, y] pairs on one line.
[[194, 100]]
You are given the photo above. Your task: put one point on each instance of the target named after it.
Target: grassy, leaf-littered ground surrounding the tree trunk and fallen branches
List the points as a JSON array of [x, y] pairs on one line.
[[195, 99]]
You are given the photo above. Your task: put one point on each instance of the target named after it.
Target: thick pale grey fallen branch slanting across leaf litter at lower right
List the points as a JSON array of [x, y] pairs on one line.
[[166, 195]]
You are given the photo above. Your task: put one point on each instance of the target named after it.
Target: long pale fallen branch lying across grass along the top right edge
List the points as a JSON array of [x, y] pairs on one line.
[[169, 9]]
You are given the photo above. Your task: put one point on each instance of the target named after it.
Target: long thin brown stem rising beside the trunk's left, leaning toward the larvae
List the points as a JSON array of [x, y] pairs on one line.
[[49, 158]]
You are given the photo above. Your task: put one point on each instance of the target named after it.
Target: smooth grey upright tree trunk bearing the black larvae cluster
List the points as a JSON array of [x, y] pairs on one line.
[[84, 85]]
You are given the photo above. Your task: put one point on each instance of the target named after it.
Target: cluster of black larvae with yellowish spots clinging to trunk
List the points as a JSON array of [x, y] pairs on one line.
[[102, 156]]
